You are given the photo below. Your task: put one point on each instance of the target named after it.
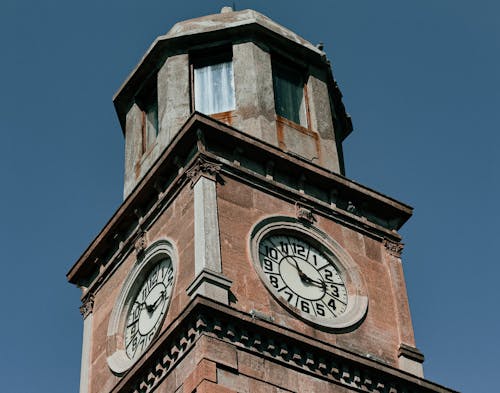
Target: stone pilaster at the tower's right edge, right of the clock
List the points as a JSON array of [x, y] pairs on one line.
[[409, 357]]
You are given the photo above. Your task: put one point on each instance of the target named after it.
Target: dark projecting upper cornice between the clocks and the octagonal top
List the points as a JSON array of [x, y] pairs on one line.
[[203, 136]]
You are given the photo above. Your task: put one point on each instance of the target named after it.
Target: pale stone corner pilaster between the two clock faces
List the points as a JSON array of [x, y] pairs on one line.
[[209, 280]]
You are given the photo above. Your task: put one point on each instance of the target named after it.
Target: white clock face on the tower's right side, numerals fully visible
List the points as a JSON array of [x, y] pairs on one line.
[[300, 273]]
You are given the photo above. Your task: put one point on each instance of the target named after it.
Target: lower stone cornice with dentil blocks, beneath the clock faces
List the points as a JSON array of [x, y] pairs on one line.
[[268, 340]]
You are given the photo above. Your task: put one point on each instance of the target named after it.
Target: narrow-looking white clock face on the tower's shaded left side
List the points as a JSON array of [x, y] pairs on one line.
[[148, 307]]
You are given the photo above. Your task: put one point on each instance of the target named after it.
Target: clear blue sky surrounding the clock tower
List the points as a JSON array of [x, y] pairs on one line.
[[420, 79]]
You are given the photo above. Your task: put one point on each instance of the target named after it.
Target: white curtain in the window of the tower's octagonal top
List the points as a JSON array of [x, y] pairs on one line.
[[214, 88]]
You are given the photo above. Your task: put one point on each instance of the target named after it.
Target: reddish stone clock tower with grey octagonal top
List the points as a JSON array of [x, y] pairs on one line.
[[242, 259]]
